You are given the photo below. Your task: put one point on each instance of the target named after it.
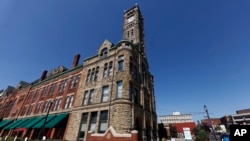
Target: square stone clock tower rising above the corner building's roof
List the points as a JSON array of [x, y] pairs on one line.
[[133, 28]]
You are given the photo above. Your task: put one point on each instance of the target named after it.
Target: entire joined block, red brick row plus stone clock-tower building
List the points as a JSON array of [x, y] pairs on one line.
[[109, 96]]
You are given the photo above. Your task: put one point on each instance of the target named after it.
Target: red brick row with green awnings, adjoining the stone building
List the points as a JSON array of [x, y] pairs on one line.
[[26, 107]]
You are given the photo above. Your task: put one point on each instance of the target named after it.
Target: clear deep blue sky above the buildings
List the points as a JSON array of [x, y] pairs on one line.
[[198, 50]]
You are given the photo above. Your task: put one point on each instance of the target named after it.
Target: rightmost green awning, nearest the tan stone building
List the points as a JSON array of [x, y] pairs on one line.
[[58, 121]]
